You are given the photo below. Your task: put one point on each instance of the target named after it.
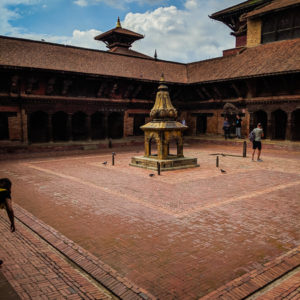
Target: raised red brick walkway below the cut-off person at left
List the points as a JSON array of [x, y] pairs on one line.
[[36, 271]]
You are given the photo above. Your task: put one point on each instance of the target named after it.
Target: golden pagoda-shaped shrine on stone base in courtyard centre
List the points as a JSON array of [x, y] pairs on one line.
[[160, 133]]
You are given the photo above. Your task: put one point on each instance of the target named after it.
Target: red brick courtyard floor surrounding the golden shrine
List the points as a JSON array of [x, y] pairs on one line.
[[179, 235]]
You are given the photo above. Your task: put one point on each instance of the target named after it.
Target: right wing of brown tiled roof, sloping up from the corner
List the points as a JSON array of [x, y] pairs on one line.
[[276, 57]]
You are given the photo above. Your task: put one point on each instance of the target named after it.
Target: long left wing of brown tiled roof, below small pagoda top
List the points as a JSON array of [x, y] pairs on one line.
[[31, 54]]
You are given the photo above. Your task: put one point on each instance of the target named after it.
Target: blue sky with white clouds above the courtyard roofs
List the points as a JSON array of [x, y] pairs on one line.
[[179, 30]]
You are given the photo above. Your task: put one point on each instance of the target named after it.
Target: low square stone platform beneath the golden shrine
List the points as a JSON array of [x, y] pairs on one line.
[[165, 164]]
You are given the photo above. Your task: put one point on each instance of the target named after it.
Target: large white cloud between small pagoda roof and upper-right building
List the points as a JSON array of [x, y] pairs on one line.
[[184, 35]]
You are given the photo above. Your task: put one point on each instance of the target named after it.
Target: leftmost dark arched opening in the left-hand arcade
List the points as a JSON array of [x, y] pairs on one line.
[[38, 124]]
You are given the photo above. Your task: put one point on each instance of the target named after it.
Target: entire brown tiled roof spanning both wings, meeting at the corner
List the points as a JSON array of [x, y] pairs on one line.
[[265, 59]]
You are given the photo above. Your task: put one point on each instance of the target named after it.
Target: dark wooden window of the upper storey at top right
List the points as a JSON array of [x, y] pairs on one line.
[[281, 26]]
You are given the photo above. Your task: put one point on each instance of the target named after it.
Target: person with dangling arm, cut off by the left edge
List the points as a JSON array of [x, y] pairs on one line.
[[6, 203]]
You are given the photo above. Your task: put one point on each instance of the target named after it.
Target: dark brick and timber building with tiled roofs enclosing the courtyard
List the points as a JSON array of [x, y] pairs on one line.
[[51, 92]]
